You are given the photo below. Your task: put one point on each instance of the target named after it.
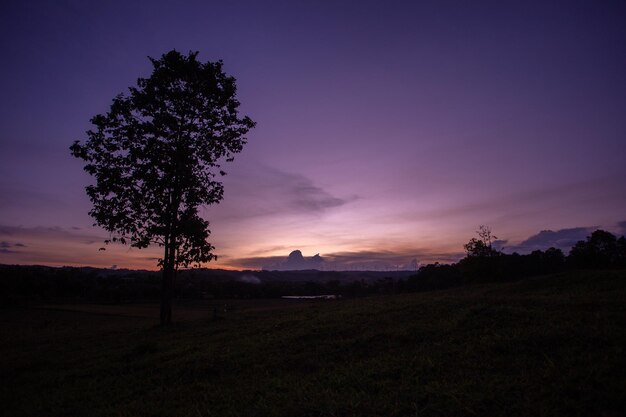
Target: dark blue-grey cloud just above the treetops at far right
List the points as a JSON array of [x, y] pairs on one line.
[[562, 239]]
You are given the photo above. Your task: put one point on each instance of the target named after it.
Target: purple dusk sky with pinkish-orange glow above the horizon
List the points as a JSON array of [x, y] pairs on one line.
[[386, 130]]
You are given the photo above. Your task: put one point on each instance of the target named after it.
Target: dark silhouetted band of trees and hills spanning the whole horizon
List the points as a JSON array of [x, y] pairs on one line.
[[482, 263]]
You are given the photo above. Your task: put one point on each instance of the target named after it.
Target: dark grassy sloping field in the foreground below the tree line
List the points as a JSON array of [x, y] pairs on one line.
[[539, 347]]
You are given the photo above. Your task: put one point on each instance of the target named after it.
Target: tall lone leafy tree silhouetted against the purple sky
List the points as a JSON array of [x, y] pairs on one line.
[[156, 155]]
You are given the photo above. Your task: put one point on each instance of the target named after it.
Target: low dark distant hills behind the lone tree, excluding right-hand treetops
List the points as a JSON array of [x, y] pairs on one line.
[[36, 284]]
